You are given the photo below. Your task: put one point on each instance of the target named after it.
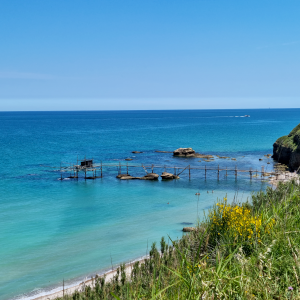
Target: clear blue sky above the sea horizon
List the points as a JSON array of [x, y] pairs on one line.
[[151, 54]]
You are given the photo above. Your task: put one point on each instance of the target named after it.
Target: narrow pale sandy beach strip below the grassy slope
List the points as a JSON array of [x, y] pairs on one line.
[[80, 286]]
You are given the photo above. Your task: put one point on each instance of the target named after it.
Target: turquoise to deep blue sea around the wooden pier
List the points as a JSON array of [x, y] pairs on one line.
[[52, 230]]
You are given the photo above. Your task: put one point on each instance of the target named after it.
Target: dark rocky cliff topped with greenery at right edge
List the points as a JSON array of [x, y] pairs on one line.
[[286, 149]]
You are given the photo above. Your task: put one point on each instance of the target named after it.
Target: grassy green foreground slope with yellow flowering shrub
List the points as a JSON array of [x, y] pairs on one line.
[[214, 262]]
